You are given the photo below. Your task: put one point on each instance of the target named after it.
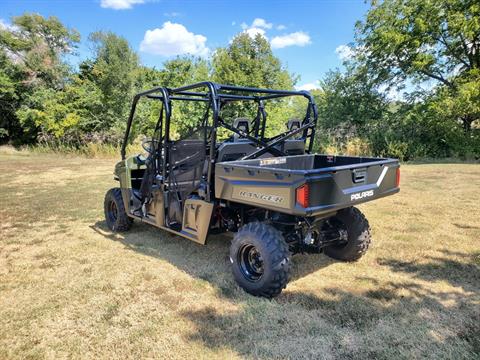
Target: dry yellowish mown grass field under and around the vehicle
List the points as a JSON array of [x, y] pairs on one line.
[[71, 289]]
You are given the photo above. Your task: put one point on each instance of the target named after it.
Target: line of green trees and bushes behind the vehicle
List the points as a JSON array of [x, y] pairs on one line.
[[427, 50]]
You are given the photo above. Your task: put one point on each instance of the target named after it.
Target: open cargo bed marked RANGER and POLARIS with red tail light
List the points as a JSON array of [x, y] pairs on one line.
[[331, 182]]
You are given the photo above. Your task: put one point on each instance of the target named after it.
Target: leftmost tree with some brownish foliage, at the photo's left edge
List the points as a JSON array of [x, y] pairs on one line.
[[32, 54]]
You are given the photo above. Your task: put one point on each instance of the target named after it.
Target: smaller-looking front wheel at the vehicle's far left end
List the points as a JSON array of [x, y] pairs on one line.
[[115, 215]]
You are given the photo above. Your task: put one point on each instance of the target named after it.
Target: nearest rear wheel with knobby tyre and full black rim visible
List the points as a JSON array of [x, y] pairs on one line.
[[260, 259]]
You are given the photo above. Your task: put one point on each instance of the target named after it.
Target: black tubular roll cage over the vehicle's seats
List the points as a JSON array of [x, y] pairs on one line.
[[217, 95]]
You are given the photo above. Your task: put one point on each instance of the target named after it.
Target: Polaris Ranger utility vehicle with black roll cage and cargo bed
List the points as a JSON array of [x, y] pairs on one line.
[[271, 192]]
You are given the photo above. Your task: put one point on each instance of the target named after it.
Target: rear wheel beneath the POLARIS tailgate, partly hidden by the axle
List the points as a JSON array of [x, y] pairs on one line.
[[354, 223]]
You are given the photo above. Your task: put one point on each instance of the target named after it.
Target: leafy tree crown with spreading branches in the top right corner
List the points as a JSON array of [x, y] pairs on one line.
[[423, 40]]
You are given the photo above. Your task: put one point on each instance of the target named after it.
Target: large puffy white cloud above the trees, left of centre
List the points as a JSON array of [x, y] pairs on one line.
[[173, 39]]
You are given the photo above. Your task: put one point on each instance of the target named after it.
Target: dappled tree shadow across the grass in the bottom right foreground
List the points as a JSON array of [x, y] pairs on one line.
[[386, 319]]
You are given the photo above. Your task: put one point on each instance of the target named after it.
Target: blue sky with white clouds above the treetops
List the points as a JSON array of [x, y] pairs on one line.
[[309, 37]]
